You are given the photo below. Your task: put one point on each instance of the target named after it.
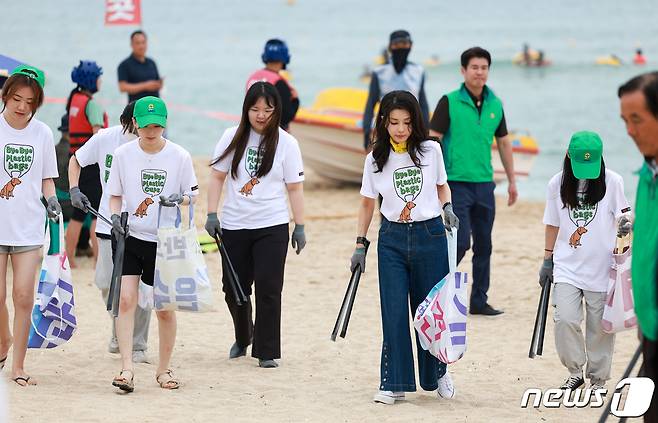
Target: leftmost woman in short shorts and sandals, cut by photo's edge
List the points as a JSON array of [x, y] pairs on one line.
[[29, 166]]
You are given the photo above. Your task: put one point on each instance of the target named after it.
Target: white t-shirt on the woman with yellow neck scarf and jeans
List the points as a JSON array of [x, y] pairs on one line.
[[409, 193]]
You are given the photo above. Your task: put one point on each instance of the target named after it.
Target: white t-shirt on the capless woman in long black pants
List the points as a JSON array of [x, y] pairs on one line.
[[253, 203]]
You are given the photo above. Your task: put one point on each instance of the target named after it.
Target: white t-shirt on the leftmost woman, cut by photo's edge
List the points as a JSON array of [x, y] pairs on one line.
[[28, 157]]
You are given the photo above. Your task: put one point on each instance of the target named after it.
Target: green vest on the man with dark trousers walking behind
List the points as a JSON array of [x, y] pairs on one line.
[[467, 144]]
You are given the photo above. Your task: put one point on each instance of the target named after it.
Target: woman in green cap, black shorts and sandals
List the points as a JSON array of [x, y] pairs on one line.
[[146, 171]]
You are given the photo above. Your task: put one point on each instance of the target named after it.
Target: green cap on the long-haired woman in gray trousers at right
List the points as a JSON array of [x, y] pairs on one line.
[[585, 151]]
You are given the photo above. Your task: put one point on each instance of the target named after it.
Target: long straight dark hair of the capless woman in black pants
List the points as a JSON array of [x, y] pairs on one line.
[[269, 138]]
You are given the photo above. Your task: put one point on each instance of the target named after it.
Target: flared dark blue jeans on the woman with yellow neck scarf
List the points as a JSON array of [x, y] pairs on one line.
[[413, 257]]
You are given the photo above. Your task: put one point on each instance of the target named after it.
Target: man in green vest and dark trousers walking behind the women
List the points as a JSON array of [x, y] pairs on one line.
[[466, 121]]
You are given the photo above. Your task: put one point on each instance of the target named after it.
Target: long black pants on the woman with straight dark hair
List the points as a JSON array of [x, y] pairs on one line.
[[258, 256]]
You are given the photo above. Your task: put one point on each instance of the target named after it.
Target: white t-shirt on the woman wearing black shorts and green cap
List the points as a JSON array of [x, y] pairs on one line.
[[140, 178]]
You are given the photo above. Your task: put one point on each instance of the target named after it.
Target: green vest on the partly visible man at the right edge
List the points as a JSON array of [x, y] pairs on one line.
[[645, 253]]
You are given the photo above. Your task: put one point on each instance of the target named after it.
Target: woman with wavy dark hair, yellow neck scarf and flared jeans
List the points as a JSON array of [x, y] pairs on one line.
[[407, 170]]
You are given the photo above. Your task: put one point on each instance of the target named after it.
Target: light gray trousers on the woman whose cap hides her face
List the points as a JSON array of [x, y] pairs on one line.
[[597, 346]]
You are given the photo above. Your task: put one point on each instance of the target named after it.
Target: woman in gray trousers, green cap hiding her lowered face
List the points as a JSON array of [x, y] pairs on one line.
[[583, 204]]
